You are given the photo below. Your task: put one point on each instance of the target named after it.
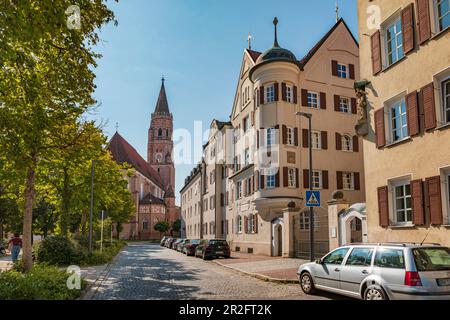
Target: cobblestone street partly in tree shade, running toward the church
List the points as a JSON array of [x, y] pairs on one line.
[[147, 271]]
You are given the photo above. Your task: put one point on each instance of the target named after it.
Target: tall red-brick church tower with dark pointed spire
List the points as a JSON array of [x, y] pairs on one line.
[[160, 143]]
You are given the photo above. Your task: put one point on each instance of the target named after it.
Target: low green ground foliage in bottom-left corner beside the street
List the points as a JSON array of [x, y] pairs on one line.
[[43, 282]]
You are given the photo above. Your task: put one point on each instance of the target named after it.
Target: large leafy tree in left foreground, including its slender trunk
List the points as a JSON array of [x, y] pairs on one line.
[[46, 84]]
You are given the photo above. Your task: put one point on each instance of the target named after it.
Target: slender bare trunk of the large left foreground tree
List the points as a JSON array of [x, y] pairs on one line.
[[28, 216]]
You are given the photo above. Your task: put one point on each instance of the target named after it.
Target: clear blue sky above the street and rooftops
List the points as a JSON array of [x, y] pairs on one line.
[[198, 46]]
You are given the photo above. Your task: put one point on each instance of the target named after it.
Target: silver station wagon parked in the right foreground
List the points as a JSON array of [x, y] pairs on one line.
[[381, 272]]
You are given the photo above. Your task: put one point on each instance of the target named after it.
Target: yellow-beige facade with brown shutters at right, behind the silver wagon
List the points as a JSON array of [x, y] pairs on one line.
[[405, 105]]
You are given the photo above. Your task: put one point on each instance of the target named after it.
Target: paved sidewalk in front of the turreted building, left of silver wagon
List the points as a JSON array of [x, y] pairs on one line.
[[274, 269]]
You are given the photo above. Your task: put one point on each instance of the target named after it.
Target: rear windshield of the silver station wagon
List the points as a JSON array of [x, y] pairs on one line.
[[432, 259]]
